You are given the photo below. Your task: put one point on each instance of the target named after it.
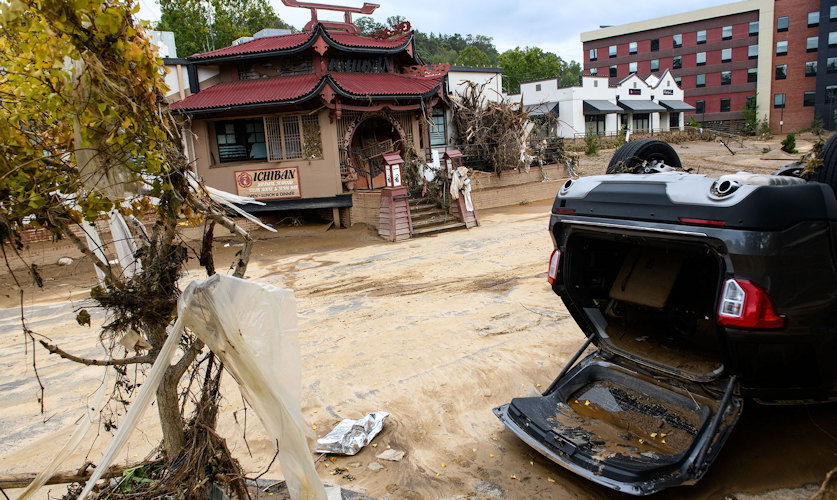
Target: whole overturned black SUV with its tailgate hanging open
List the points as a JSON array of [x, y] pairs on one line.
[[697, 294]]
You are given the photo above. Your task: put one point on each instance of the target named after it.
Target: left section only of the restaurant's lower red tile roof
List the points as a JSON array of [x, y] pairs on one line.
[[243, 92]]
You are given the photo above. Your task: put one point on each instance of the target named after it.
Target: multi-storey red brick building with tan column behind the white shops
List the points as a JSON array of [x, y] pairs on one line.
[[778, 52]]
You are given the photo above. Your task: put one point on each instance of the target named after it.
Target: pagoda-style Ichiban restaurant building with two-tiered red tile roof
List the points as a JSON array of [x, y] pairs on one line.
[[300, 120]]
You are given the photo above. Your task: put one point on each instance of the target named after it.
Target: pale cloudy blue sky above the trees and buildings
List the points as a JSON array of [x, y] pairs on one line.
[[553, 25]]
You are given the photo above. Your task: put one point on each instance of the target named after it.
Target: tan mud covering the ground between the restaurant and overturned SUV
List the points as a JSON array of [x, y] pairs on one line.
[[435, 330]]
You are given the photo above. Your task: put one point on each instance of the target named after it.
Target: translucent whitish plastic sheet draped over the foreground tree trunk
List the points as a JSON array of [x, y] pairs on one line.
[[252, 328]]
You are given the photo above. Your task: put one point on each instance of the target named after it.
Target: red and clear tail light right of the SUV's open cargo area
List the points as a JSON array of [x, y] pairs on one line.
[[746, 305]]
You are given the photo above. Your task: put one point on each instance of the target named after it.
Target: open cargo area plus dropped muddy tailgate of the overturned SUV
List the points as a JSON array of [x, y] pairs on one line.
[[652, 406]]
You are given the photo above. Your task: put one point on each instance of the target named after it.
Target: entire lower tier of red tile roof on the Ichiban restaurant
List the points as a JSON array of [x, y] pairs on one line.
[[304, 87]]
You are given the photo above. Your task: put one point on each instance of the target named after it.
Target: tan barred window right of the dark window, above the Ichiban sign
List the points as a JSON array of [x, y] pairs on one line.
[[293, 137]]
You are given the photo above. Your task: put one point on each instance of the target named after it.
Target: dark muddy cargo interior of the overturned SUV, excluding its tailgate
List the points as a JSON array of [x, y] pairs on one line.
[[653, 303]]
